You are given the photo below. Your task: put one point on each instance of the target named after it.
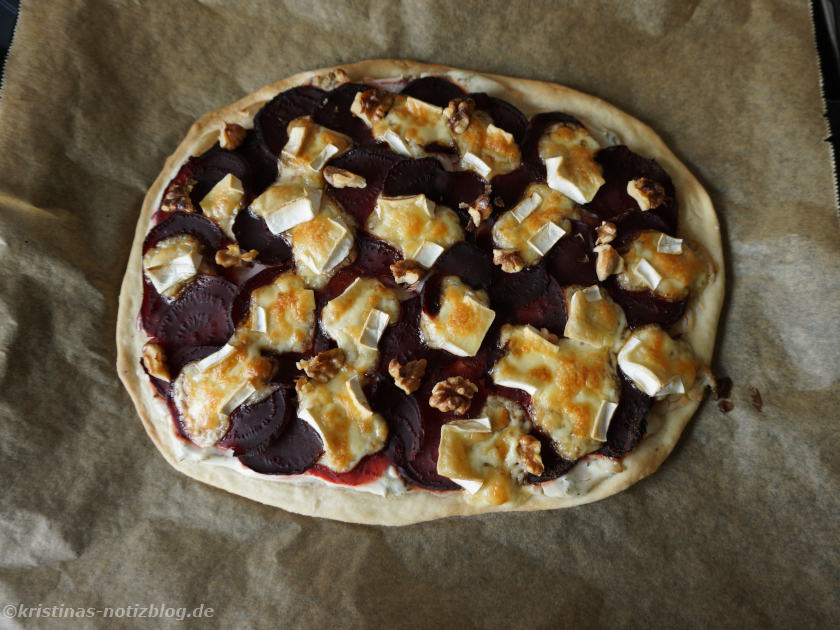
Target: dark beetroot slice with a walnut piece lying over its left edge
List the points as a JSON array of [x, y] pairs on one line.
[[373, 165]]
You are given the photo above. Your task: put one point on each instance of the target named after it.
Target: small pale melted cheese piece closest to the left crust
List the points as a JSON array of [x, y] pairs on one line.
[[172, 263]]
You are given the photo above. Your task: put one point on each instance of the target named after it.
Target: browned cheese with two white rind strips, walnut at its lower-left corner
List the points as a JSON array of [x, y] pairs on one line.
[[539, 207]]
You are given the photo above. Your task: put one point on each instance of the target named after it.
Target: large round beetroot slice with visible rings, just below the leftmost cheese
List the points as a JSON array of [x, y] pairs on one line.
[[200, 316]]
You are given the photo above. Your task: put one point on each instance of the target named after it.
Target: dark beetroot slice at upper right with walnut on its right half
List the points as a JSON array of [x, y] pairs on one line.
[[620, 165]]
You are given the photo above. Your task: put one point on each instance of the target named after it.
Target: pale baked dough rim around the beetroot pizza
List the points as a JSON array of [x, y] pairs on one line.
[[665, 422]]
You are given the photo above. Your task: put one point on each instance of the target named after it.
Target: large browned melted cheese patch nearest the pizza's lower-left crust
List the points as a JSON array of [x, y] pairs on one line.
[[207, 391]]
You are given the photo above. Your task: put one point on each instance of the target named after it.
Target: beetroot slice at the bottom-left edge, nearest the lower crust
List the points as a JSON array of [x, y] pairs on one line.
[[292, 452]]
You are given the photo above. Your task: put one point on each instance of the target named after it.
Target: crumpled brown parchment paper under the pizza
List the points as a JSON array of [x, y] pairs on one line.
[[739, 527]]
